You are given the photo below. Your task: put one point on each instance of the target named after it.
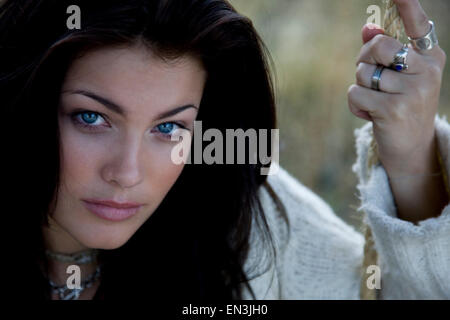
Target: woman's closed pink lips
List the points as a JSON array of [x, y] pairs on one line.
[[111, 210]]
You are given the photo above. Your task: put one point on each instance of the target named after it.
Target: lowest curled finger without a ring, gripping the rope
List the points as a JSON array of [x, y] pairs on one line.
[[370, 101]]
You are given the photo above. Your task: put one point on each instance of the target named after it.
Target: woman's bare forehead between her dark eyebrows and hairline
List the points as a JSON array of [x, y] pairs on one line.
[[134, 76]]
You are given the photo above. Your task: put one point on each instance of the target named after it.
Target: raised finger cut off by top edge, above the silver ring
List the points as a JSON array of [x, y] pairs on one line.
[[414, 18]]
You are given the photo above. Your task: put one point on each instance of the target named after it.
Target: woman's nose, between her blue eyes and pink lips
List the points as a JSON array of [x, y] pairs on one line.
[[122, 167]]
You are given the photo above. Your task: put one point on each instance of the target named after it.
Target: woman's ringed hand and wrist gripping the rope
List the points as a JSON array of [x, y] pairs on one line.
[[404, 109]]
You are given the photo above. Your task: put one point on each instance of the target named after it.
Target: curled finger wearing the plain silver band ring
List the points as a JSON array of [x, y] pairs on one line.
[[391, 81]]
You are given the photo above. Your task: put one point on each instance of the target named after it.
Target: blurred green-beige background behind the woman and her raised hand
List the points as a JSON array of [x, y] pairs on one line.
[[314, 44]]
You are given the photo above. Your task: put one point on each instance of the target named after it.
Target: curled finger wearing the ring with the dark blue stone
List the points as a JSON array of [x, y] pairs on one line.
[[382, 49]]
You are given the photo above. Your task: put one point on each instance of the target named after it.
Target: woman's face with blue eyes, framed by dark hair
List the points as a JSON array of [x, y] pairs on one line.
[[115, 123]]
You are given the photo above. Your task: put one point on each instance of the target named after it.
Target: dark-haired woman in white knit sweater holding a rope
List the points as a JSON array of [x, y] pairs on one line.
[[90, 175]]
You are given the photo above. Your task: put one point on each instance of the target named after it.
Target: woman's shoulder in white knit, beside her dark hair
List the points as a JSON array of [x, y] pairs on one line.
[[323, 254]]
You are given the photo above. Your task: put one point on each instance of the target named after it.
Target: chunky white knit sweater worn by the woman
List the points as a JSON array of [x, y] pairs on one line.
[[323, 258]]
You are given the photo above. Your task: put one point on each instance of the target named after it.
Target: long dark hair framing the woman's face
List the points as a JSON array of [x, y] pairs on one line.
[[195, 244]]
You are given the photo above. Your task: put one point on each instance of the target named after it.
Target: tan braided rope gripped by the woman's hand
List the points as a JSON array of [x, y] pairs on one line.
[[393, 27]]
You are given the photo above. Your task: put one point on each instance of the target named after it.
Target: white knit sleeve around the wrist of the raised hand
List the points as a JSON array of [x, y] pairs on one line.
[[414, 259]]
